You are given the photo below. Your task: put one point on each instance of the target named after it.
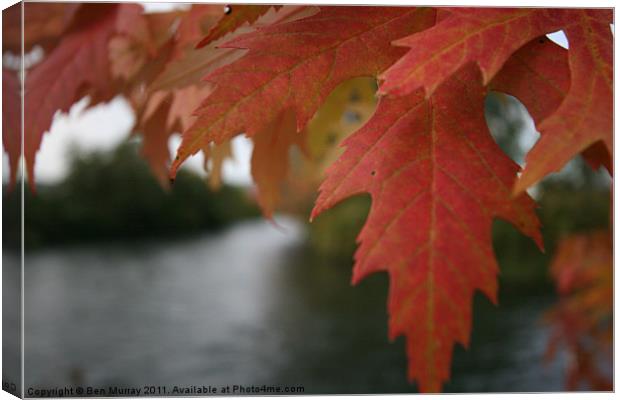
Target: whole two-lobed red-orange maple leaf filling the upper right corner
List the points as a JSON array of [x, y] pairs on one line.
[[490, 37]]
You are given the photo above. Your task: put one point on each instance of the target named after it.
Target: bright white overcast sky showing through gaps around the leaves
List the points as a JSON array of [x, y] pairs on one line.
[[103, 127]]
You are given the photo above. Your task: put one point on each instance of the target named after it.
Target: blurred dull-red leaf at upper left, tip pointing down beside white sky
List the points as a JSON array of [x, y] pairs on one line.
[[77, 66]]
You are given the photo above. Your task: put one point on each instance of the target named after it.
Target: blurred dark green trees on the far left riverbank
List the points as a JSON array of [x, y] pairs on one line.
[[114, 196]]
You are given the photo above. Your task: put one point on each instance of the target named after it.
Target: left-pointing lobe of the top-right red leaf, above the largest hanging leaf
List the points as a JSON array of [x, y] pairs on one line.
[[486, 36]]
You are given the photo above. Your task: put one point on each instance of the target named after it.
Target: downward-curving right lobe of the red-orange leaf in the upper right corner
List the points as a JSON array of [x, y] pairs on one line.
[[585, 117]]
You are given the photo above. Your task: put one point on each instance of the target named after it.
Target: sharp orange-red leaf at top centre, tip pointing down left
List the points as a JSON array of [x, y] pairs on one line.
[[296, 65]]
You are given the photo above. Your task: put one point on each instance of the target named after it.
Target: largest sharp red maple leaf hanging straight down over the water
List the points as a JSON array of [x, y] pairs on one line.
[[434, 175]]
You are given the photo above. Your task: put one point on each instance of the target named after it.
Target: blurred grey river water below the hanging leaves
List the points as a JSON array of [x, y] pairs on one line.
[[247, 306]]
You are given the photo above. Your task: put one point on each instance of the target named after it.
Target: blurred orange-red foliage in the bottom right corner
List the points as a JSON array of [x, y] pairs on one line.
[[581, 321]]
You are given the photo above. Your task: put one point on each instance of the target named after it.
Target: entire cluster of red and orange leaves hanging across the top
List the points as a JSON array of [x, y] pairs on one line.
[[282, 76]]
